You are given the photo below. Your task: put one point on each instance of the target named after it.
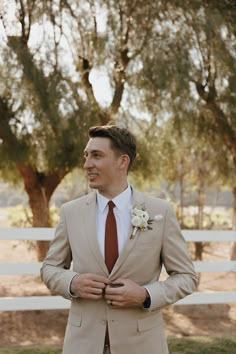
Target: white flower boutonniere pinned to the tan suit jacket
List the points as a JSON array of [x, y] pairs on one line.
[[140, 220]]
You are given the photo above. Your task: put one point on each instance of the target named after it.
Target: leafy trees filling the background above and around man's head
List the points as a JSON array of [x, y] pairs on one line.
[[170, 61]]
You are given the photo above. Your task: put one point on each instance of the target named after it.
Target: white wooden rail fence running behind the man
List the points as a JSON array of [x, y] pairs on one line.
[[57, 302]]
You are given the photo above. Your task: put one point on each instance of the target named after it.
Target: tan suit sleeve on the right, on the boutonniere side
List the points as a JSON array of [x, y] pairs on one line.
[[182, 279]]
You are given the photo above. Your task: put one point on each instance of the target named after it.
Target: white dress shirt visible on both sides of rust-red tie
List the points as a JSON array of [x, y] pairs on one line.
[[122, 212]]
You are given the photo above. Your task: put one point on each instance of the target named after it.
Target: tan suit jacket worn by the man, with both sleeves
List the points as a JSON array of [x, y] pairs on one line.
[[131, 330]]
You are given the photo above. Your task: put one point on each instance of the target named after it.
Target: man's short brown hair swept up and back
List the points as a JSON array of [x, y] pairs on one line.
[[121, 139]]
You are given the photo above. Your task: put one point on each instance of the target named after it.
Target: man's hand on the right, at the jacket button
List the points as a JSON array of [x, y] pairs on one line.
[[125, 293]]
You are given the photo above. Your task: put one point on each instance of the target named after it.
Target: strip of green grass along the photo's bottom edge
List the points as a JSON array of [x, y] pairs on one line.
[[190, 345]]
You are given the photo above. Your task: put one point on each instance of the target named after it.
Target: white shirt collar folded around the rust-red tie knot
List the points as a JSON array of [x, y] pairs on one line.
[[121, 200]]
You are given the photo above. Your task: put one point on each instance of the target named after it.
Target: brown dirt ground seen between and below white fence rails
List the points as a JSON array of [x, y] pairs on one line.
[[47, 327]]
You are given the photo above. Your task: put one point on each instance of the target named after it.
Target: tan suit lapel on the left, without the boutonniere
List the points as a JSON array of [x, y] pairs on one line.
[[91, 232]]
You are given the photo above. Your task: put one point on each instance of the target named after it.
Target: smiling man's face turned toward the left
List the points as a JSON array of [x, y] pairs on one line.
[[103, 166]]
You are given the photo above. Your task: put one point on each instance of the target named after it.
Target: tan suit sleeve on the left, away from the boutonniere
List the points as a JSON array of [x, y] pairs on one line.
[[55, 272]]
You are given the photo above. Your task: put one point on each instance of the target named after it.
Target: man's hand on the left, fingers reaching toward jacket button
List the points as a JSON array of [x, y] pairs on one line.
[[89, 286]]
